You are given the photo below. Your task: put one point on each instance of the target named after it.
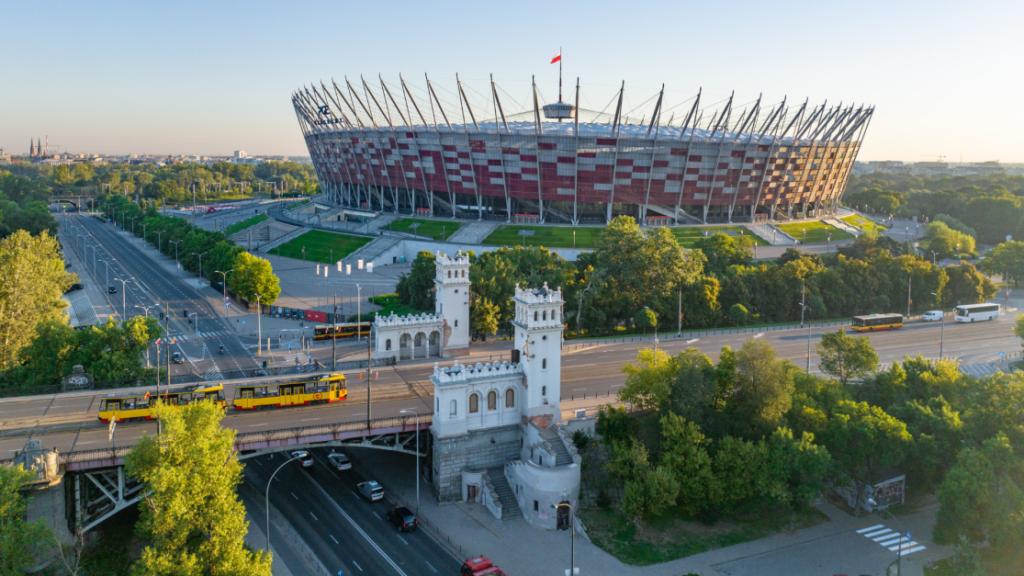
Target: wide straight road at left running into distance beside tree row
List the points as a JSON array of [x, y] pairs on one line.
[[152, 284]]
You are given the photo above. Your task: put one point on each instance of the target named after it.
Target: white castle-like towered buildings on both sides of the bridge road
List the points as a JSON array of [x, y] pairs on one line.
[[496, 434]]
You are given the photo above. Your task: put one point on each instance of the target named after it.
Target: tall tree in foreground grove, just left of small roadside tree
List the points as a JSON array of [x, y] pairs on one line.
[[763, 392]]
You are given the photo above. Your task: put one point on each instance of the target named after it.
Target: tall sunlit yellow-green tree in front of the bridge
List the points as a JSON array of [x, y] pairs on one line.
[[192, 518]]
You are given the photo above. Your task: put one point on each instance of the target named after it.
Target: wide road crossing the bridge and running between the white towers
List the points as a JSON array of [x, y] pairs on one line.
[[593, 372]]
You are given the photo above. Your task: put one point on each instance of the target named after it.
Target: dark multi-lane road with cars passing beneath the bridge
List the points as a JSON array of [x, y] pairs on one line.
[[348, 533]]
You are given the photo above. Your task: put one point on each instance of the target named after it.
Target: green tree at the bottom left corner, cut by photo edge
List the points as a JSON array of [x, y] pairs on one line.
[[19, 540]]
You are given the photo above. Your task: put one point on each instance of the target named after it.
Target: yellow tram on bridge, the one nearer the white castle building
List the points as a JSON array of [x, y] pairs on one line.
[[301, 392]]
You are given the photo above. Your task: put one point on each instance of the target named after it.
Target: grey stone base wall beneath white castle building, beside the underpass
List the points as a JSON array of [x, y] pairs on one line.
[[474, 450]]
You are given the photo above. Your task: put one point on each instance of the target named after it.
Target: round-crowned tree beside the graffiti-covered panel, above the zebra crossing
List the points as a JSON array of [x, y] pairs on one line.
[[865, 440]]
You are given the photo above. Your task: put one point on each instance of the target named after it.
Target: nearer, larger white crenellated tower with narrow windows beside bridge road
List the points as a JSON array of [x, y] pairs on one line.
[[539, 326]]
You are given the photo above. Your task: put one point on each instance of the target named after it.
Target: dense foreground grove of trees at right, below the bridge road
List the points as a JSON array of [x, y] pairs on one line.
[[755, 434]]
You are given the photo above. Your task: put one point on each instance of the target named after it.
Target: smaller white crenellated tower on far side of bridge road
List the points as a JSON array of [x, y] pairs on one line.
[[452, 302]]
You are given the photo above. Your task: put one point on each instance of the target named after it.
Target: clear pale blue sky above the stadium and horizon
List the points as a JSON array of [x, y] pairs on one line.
[[208, 78]]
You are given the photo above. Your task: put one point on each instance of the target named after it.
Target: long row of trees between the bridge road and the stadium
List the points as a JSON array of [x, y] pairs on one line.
[[636, 278]]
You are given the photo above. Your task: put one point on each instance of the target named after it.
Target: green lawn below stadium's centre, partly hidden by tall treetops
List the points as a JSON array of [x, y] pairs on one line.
[[587, 237]]
